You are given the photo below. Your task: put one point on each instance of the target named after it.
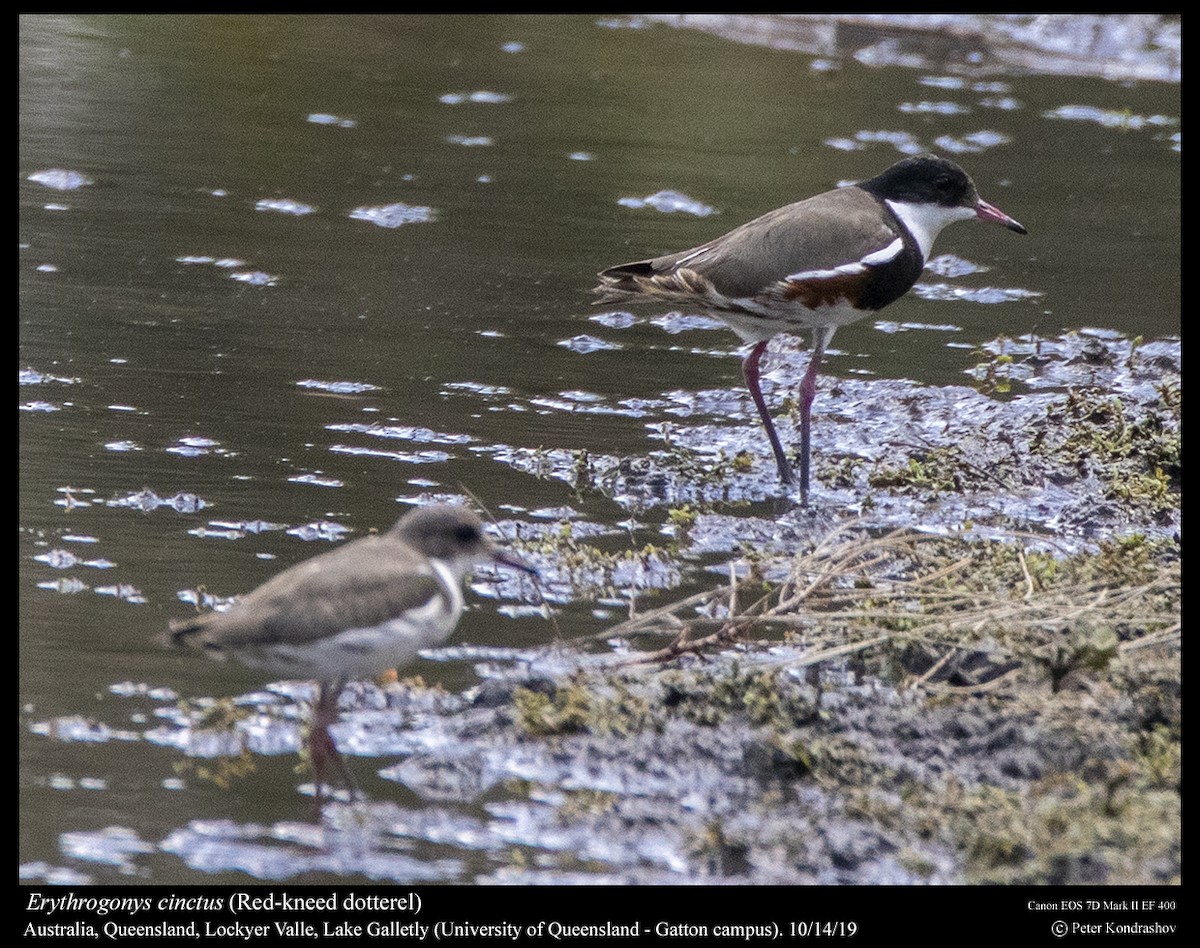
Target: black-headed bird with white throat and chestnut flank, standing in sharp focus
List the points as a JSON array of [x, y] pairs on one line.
[[817, 265]]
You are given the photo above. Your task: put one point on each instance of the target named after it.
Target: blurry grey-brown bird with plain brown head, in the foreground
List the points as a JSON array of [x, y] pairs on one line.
[[353, 613]]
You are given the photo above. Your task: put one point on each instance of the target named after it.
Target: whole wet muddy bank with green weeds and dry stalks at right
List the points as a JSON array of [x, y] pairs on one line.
[[962, 665]]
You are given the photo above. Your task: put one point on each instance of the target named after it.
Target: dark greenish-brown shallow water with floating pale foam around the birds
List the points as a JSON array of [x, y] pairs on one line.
[[281, 277]]
